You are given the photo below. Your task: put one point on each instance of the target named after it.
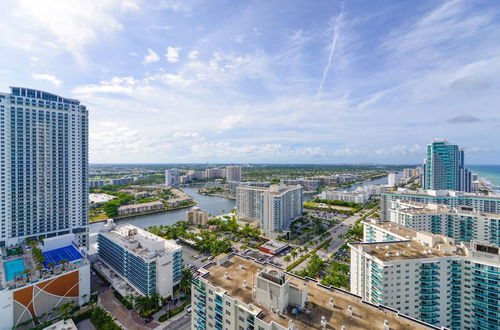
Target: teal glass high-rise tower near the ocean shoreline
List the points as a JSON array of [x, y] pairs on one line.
[[444, 168]]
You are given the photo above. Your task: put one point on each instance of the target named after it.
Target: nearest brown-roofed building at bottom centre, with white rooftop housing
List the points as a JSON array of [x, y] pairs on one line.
[[237, 292]]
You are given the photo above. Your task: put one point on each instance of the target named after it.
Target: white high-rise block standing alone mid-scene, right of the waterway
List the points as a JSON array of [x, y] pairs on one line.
[[275, 207]]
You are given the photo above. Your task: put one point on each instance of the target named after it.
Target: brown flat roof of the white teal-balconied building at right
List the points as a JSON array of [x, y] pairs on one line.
[[401, 250]]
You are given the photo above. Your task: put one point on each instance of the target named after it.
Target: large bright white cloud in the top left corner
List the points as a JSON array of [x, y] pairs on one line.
[[66, 24]]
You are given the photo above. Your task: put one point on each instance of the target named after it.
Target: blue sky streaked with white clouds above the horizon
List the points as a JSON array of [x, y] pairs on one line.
[[265, 81]]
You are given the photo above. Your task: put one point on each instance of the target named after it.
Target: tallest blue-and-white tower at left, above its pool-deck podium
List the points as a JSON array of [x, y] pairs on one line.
[[44, 166]]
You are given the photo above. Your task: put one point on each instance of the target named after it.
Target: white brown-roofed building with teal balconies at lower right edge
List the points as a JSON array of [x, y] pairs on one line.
[[428, 276]]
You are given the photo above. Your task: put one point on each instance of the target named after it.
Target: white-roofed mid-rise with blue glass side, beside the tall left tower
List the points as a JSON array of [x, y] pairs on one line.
[[148, 263]]
